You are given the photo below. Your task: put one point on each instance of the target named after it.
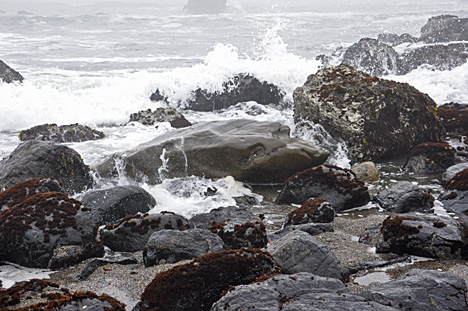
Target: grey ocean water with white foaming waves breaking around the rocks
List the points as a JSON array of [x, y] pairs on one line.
[[96, 63]]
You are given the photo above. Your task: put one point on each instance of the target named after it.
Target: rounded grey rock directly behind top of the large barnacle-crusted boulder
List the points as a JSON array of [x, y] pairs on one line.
[[372, 56]]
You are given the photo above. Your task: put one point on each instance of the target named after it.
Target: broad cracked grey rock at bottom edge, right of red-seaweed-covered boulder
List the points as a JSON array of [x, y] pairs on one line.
[[301, 291]]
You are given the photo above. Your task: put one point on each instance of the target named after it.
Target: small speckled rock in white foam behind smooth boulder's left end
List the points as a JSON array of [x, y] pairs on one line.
[[171, 115]]
